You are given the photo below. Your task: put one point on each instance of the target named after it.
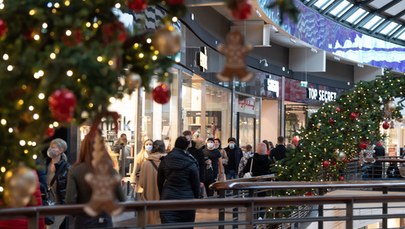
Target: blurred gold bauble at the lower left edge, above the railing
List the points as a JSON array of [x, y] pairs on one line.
[[20, 184]]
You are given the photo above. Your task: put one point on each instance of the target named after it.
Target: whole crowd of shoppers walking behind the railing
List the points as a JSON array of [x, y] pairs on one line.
[[185, 172]]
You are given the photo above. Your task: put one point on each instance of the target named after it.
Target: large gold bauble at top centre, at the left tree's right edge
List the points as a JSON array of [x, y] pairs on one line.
[[167, 40]]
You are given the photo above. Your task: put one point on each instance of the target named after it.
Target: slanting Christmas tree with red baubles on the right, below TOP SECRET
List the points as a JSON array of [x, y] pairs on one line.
[[342, 129]]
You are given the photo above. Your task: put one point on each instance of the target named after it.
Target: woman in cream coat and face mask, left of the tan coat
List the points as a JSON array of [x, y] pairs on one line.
[[139, 159]]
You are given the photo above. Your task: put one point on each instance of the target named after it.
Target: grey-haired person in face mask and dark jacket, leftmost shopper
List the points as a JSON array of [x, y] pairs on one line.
[[57, 168]]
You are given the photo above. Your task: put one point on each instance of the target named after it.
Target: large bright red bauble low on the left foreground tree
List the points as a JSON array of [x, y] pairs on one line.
[[62, 104]]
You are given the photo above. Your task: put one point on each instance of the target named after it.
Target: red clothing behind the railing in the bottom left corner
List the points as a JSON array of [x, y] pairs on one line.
[[23, 223]]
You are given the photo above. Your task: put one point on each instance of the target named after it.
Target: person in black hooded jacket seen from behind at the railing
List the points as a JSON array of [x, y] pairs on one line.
[[178, 178]]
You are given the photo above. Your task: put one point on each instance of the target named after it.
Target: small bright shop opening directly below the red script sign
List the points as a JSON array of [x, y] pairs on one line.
[[246, 129]]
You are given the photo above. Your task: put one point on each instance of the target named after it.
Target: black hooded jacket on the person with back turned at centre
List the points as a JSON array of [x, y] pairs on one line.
[[178, 176]]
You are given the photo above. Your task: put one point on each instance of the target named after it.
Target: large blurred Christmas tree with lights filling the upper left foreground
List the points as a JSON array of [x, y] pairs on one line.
[[62, 61]]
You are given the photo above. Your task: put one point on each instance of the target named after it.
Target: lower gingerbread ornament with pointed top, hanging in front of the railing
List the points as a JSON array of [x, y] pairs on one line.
[[102, 182]]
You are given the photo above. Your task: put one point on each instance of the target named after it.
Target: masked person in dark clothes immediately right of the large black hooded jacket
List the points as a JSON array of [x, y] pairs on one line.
[[214, 169]]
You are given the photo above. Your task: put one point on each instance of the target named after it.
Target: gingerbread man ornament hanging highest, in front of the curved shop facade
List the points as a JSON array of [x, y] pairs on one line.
[[235, 51]]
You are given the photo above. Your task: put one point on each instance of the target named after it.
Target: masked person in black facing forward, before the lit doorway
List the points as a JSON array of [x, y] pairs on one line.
[[234, 154]]
